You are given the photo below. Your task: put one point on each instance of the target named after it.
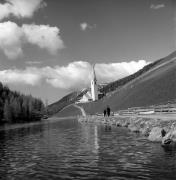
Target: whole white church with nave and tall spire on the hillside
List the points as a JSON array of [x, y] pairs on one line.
[[93, 94]]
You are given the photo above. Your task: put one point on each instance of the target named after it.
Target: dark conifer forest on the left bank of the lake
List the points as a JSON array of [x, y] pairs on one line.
[[16, 107]]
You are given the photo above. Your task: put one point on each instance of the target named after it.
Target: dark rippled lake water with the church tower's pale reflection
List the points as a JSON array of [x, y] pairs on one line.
[[71, 150]]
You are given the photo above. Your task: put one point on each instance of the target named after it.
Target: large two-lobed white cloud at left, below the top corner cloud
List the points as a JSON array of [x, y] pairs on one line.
[[12, 37]]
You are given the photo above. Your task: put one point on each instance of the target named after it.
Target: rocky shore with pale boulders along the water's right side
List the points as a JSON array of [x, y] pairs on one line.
[[156, 128]]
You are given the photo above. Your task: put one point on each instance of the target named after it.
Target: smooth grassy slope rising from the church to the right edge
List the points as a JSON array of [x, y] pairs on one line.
[[157, 85]]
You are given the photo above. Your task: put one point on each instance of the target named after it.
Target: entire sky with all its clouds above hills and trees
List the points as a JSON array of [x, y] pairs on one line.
[[47, 47]]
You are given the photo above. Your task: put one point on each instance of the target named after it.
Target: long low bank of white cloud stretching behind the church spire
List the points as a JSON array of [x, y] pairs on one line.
[[75, 75]]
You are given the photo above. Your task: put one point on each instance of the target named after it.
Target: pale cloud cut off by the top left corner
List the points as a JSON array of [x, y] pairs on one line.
[[20, 8]]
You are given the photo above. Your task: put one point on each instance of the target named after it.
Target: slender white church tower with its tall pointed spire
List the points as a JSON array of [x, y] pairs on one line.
[[94, 85]]
